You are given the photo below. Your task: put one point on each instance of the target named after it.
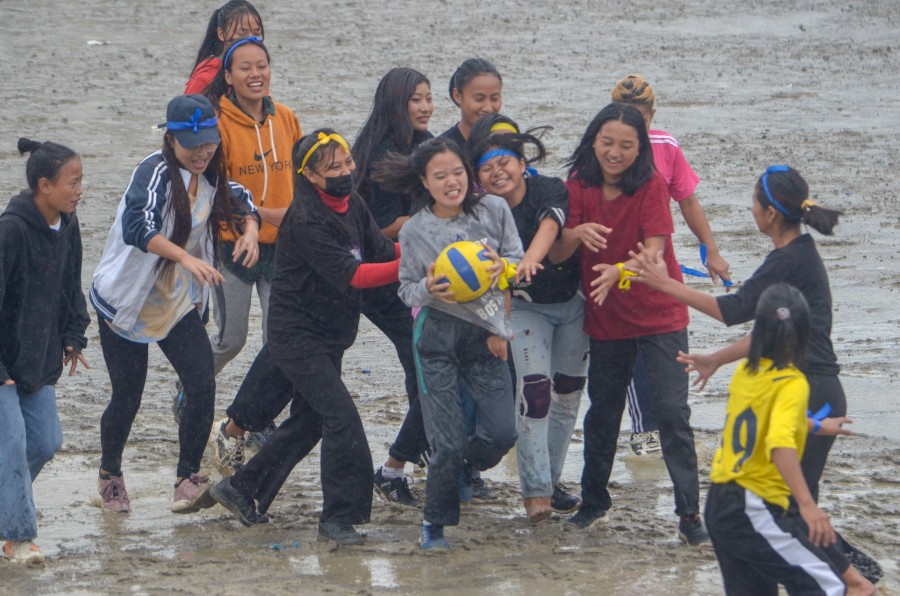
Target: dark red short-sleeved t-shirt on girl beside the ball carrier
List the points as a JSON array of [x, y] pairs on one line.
[[640, 311]]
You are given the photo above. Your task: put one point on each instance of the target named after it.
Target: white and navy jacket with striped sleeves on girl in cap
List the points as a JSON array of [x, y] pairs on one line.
[[125, 275]]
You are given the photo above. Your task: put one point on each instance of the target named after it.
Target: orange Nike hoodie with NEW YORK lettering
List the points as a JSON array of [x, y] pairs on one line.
[[259, 156]]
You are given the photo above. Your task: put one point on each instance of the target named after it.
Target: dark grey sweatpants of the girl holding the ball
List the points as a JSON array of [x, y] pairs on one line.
[[447, 349]]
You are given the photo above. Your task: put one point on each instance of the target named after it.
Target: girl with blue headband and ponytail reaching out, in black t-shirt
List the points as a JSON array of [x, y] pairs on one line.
[[781, 204]]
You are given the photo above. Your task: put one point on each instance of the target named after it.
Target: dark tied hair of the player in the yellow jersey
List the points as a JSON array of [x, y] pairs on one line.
[[781, 329]]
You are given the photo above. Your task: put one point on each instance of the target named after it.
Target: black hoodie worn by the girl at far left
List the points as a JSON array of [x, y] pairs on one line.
[[42, 306]]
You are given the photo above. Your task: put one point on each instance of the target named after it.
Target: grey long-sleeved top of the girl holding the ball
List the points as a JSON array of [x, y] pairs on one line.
[[424, 236]]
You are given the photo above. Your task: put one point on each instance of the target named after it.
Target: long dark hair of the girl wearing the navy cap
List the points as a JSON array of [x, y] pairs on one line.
[[221, 215]]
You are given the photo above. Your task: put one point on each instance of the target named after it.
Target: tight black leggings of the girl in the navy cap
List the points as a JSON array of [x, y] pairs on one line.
[[187, 349]]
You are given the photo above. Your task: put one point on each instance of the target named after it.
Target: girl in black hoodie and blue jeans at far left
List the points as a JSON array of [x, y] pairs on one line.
[[43, 317]]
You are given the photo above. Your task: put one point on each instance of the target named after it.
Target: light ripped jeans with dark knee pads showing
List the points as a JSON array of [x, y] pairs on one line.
[[550, 353]]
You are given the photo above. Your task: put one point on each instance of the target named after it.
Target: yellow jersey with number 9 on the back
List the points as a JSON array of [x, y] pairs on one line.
[[766, 410]]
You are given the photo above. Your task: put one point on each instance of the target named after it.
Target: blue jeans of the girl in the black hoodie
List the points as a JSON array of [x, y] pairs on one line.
[[31, 434]]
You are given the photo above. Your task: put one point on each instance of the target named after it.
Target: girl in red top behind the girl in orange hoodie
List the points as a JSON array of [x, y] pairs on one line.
[[232, 21]]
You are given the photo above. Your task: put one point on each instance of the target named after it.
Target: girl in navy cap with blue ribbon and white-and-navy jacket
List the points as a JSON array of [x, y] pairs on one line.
[[152, 284]]
